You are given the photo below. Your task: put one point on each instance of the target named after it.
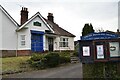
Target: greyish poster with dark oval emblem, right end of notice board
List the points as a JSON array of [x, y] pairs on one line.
[[114, 49]]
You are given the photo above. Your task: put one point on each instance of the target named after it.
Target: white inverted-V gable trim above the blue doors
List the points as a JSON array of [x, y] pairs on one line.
[[34, 16]]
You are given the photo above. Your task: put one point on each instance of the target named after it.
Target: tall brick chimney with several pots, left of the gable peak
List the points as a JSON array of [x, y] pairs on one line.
[[24, 15]]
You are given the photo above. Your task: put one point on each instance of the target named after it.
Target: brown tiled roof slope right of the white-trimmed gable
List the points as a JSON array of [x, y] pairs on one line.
[[58, 30]]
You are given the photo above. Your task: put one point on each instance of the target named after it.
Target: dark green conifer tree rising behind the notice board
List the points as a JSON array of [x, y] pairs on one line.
[[87, 29]]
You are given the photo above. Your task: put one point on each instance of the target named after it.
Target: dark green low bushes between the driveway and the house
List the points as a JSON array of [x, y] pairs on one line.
[[41, 61]]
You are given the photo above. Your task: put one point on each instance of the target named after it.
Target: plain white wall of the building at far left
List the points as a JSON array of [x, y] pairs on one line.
[[9, 37]]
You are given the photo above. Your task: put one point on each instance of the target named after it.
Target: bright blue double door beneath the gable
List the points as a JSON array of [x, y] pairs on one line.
[[37, 42]]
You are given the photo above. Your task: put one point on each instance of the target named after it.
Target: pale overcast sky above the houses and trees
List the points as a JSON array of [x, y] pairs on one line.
[[71, 15]]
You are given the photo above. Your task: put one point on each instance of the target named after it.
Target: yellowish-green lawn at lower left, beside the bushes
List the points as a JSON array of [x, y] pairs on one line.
[[15, 64]]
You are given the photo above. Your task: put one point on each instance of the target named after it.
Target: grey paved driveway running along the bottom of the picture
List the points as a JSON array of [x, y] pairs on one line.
[[67, 71]]
